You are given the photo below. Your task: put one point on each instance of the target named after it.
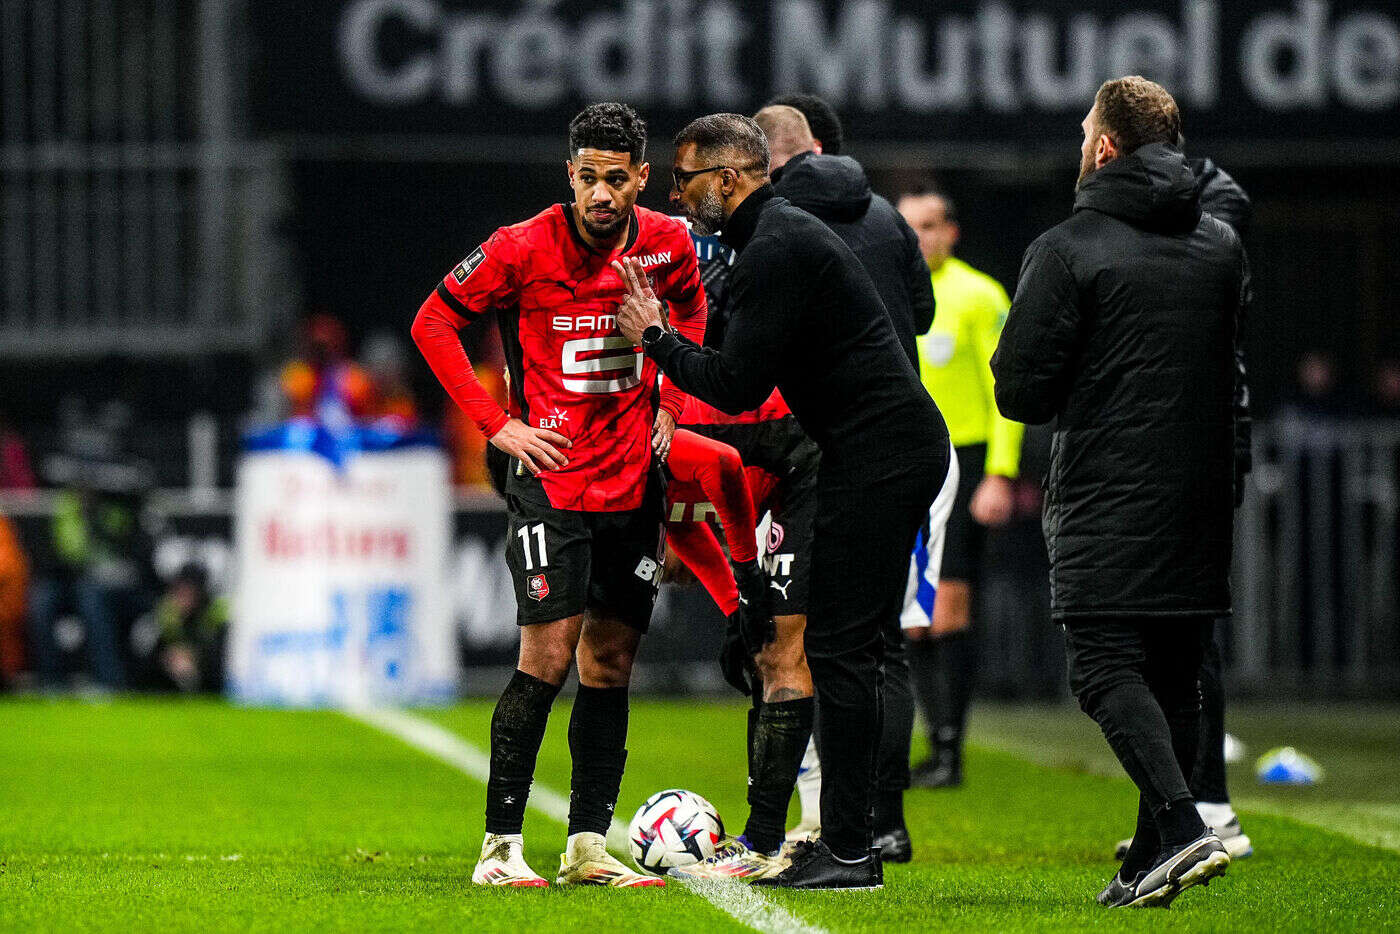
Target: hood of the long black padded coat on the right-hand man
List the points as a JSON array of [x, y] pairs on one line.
[[1153, 188]]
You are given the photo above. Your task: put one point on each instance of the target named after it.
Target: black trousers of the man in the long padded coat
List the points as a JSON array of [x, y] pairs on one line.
[[1139, 680]]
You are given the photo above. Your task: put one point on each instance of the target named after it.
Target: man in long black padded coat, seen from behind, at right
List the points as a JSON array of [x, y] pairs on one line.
[[1123, 328]]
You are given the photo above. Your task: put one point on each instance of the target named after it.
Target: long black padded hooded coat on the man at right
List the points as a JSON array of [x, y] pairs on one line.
[[1123, 328]]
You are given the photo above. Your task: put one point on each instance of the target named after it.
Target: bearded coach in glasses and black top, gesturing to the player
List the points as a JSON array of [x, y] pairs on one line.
[[806, 317]]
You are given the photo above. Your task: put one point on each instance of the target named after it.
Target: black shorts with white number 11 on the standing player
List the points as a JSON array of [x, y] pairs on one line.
[[565, 562]]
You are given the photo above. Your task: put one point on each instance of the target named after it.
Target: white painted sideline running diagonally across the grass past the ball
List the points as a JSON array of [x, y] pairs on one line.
[[744, 904]]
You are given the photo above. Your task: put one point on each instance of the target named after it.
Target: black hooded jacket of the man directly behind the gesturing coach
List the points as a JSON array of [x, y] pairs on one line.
[[836, 191]]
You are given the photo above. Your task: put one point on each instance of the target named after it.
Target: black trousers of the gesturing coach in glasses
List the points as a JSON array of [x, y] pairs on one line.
[[864, 533]]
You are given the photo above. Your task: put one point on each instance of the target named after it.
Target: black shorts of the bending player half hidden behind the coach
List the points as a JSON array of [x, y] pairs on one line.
[[782, 449]]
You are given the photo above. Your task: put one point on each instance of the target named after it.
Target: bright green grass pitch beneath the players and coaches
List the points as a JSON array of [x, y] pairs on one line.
[[164, 816]]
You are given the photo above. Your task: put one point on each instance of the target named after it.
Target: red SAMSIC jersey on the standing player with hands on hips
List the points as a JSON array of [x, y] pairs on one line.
[[570, 370]]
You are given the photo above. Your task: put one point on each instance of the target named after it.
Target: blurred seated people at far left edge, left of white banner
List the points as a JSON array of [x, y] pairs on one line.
[[82, 606]]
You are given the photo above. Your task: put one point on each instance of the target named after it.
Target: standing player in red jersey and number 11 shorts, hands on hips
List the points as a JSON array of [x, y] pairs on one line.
[[584, 501]]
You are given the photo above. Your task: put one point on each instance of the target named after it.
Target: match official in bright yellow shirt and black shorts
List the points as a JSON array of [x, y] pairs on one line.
[[955, 368]]
